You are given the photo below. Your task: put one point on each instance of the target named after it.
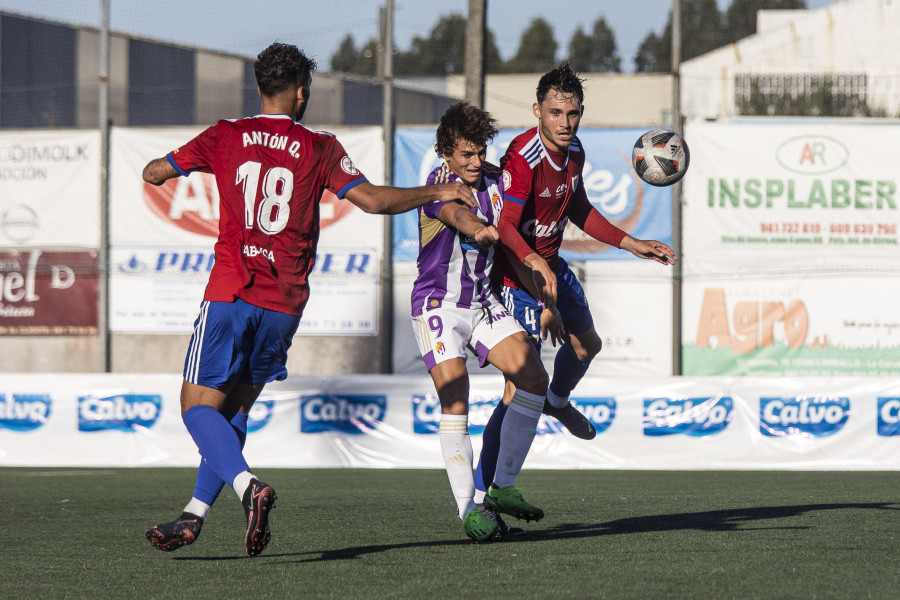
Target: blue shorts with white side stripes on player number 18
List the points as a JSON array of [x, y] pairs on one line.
[[237, 342]]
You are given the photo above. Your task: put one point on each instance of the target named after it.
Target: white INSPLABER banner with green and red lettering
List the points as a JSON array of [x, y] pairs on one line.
[[799, 198]]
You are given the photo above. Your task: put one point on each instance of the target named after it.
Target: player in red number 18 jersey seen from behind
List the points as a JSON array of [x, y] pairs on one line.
[[270, 171]]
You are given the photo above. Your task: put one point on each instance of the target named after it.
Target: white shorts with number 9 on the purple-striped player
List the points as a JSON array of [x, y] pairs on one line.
[[444, 333]]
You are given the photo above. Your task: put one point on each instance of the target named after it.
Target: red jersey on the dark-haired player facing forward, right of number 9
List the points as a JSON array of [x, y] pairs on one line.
[[543, 191]]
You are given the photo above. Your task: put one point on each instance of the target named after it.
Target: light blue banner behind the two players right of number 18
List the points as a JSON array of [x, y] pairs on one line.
[[613, 188]]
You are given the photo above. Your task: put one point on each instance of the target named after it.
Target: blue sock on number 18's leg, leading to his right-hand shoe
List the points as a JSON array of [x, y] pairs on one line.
[[217, 441]]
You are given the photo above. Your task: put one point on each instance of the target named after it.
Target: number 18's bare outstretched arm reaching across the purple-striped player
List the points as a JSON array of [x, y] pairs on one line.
[[387, 200]]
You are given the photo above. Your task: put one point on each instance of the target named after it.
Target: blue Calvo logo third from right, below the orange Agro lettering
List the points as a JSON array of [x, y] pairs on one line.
[[691, 416]]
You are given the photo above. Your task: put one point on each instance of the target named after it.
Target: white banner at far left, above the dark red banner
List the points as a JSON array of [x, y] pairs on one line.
[[50, 189]]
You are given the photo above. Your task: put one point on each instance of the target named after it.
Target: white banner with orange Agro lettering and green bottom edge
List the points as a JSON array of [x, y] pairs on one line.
[[819, 326]]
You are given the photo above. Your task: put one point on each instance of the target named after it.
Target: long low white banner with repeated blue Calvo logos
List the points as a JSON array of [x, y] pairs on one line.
[[391, 422]]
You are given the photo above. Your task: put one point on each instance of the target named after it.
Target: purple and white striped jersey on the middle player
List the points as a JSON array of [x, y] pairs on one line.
[[452, 267]]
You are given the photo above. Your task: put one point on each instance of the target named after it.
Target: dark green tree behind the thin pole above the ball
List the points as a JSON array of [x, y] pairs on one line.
[[701, 31]]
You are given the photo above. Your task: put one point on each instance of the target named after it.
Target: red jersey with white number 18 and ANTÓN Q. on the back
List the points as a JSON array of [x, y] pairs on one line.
[[270, 172]]
